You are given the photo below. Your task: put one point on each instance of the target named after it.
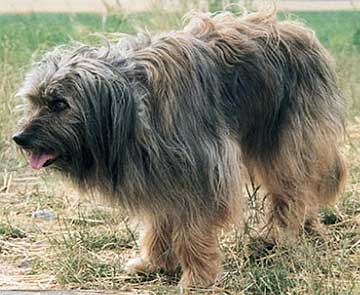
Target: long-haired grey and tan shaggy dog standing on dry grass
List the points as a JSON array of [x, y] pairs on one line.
[[166, 126]]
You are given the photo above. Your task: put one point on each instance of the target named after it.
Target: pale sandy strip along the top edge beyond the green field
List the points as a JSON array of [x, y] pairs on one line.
[[100, 6]]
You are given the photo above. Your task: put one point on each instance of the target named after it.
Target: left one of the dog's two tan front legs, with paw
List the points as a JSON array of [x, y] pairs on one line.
[[155, 244]]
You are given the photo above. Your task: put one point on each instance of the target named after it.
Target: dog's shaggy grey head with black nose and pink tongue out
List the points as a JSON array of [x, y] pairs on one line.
[[80, 113]]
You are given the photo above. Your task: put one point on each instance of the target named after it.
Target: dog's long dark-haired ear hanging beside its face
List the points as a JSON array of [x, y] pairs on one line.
[[104, 97]]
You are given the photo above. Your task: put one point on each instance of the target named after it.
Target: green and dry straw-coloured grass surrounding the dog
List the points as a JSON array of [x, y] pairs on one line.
[[86, 246]]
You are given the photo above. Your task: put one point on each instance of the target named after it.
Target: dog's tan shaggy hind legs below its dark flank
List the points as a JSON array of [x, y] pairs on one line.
[[299, 179]]
